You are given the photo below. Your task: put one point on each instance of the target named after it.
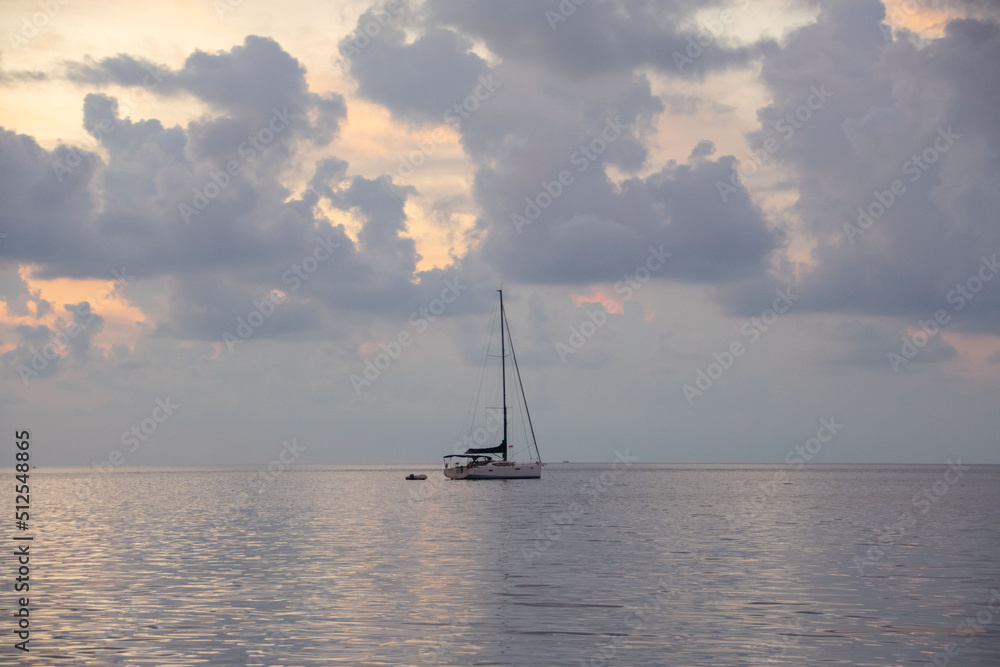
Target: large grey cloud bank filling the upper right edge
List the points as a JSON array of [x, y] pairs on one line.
[[918, 113]]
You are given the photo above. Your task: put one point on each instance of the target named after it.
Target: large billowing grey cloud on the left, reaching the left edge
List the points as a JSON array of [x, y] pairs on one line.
[[204, 209]]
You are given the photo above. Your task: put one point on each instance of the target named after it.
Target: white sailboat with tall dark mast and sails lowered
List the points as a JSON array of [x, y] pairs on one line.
[[492, 462]]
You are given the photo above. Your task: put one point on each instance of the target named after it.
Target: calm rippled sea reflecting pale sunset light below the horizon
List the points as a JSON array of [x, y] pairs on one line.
[[600, 564]]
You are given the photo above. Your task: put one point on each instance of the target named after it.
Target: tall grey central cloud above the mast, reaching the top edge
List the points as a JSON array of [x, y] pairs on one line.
[[543, 146]]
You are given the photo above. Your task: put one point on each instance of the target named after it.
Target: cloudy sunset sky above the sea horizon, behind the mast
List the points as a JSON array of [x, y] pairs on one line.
[[235, 232]]
